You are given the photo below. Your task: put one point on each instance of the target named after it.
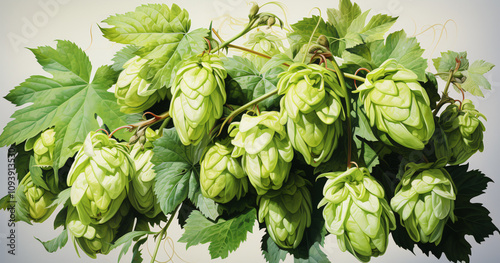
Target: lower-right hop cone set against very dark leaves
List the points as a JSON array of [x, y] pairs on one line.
[[425, 200]]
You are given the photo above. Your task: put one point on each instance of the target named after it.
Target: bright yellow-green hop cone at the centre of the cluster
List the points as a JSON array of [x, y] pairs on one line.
[[265, 149]]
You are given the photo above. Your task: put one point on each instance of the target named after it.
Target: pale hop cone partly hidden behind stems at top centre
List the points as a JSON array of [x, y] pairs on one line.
[[265, 43]]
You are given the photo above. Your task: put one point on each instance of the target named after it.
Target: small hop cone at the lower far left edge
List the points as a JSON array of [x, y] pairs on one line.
[[38, 199]]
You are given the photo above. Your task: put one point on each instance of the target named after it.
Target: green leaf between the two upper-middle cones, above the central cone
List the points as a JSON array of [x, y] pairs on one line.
[[254, 84]]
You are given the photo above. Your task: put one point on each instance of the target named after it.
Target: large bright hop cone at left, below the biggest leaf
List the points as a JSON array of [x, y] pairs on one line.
[[99, 178]]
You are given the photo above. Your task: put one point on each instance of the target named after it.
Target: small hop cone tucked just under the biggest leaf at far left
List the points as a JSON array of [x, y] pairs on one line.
[[43, 148]]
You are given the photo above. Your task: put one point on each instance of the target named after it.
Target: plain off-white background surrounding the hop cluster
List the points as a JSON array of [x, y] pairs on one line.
[[474, 28]]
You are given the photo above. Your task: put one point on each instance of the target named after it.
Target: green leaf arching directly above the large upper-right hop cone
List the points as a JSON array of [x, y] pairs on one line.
[[406, 50]]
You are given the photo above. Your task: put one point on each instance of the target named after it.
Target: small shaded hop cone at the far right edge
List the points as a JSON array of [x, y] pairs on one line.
[[464, 131]]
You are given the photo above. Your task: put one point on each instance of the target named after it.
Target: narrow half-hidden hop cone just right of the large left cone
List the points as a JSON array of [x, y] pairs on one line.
[[141, 193]]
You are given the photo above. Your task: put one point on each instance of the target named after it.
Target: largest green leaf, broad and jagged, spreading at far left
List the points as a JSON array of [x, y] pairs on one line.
[[68, 101]]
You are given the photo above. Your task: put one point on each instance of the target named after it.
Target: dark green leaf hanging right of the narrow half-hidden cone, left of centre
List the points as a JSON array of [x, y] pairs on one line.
[[177, 174]]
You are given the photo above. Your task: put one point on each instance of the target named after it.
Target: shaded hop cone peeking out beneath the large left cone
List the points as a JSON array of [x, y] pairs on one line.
[[94, 238]]
